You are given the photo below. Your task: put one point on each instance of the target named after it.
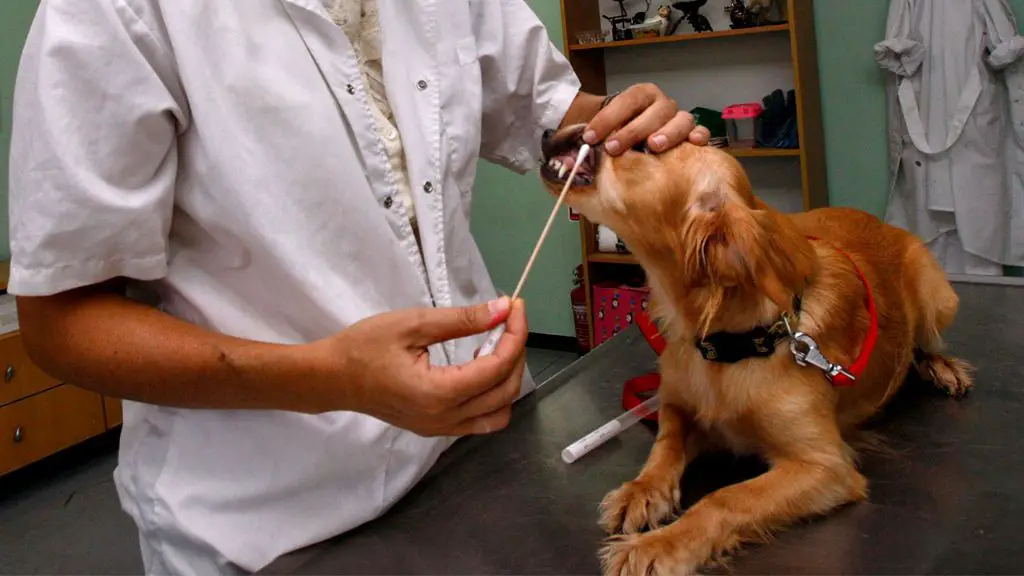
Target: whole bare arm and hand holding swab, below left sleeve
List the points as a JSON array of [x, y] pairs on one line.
[[98, 340]]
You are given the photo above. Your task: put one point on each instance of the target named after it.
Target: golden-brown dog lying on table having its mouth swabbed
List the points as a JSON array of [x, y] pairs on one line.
[[737, 290]]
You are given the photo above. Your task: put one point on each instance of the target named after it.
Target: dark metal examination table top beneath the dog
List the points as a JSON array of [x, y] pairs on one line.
[[952, 502]]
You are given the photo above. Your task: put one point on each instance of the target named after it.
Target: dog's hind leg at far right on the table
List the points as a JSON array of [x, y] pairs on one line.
[[940, 305]]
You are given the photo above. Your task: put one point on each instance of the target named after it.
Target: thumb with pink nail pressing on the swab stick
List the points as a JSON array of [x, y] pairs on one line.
[[439, 325]]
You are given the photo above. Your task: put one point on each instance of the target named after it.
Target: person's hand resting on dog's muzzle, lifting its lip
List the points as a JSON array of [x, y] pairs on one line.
[[644, 114]]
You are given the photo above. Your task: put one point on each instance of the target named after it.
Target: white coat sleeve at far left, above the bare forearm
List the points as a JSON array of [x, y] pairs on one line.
[[98, 109]]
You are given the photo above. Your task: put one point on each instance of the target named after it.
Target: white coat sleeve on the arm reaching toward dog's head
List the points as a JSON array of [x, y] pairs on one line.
[[529, 86]]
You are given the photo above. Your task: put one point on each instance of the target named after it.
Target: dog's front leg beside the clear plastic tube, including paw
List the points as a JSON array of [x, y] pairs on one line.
[[654, 497]]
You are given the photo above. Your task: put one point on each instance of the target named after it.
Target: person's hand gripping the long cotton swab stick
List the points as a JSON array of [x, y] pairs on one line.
[[387, 371]]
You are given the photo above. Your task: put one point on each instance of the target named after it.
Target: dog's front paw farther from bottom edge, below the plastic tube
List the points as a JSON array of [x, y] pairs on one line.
[[639, 504]]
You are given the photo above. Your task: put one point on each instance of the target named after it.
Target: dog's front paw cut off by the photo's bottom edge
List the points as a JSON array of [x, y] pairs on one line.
[[652, 554]]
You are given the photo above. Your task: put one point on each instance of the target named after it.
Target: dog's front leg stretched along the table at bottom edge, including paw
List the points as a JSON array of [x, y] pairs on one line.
[[793, 490]]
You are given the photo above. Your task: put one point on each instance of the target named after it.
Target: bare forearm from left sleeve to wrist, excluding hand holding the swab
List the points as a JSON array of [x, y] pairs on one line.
[[101, 341]]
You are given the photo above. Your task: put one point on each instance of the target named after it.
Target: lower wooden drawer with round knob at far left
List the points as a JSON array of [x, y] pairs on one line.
[[42, 425]]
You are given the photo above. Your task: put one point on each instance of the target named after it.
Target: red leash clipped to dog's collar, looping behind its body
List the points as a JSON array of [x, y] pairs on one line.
[[638, 390]]
